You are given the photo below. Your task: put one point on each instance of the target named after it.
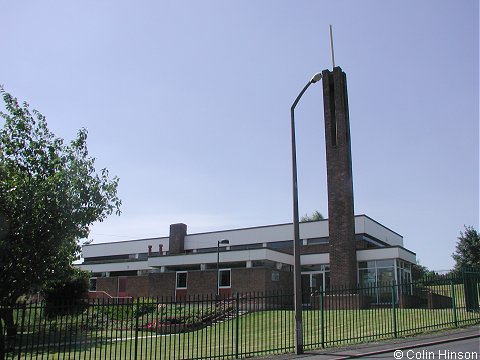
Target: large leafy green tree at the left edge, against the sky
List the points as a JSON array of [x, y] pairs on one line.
[[50, 193]]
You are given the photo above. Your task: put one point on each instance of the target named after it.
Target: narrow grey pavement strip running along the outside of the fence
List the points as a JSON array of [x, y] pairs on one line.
[[373, 348]]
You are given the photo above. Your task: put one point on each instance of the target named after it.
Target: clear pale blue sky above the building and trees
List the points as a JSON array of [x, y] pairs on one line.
[[188, 103]]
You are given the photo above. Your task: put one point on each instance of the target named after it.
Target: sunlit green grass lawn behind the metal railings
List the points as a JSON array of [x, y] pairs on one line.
[[260, 333]]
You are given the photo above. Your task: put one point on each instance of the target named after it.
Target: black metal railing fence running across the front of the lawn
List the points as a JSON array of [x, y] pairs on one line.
[[240, 326]]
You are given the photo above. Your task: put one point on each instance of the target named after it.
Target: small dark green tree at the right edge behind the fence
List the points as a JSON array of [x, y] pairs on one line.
[[467, 252]]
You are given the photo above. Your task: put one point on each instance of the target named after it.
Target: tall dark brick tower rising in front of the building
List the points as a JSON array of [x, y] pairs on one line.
[[341, 222]]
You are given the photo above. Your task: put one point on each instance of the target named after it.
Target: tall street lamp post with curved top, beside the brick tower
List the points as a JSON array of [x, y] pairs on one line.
[[297, 279]]
